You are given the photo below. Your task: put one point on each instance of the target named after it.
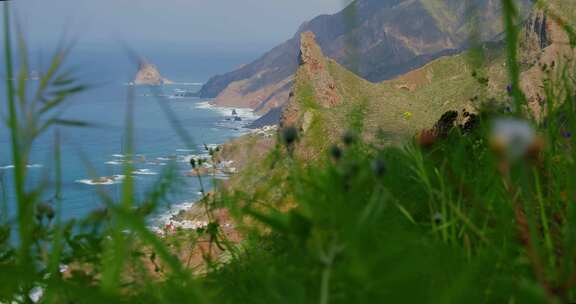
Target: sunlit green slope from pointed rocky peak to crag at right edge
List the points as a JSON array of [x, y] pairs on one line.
[[328, 101]]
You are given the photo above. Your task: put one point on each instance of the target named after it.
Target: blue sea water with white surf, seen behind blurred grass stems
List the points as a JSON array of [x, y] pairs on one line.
[[102, 146]]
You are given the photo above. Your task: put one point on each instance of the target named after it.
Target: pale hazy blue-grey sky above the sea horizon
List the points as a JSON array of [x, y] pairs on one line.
[[241, 24]]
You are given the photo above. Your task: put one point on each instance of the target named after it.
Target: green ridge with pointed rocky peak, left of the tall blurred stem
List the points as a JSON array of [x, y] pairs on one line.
[[328, 101]]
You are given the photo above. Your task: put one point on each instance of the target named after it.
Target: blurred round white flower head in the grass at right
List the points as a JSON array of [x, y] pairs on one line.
[[512, 136]]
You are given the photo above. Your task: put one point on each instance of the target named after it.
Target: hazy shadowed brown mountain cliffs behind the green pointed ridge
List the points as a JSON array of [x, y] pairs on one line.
[[377, 39]]
